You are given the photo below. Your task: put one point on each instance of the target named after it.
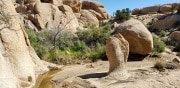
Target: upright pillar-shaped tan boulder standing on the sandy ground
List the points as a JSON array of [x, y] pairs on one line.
[[117, 51]]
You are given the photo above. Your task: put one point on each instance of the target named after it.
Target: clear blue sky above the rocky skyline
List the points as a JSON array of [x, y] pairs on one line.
[[113, 5]]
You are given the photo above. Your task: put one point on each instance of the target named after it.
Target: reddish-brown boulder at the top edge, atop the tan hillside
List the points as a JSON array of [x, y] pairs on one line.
[[74, 4]]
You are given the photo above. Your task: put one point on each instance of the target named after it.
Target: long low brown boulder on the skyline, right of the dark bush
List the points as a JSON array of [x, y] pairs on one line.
[[149, 10]]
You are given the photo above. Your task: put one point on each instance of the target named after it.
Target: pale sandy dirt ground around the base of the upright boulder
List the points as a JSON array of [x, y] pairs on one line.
[[93, 75]]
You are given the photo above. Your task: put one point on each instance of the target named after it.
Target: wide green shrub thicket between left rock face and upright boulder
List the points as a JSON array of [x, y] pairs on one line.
[[85, 44]]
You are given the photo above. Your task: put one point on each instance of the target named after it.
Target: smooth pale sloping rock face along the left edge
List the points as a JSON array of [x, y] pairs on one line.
[[18, 60]]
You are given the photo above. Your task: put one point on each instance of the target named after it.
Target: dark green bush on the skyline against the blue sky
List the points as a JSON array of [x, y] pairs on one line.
[[123, 14]]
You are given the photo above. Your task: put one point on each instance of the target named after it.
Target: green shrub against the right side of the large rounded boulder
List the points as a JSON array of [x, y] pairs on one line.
[[159, 45]]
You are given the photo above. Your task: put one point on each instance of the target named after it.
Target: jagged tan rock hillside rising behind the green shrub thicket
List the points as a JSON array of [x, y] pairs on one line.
[[60, 14]]
